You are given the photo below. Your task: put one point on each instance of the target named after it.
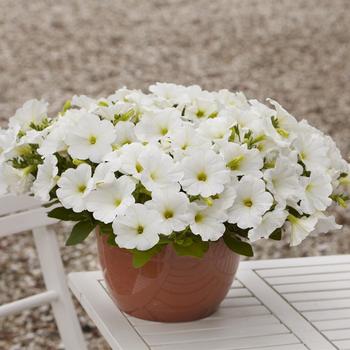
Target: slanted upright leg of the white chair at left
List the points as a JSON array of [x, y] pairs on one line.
[[55, 279]]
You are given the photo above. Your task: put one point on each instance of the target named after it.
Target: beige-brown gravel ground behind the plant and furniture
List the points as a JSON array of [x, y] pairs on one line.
[[297, 52]]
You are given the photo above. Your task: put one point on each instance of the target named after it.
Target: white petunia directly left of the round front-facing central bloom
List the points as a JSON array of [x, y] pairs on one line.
[[159, 170]]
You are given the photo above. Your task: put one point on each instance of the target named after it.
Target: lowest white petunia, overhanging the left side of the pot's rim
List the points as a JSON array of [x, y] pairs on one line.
[[138, 228]]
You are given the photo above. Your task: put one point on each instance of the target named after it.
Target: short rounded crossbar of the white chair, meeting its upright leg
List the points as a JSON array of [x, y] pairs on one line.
[[28, 303]]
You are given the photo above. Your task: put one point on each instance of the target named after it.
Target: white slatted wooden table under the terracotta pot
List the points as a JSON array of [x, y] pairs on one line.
[[285, 304]]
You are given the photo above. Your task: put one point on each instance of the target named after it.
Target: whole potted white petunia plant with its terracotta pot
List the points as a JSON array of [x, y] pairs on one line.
[[176, 184]]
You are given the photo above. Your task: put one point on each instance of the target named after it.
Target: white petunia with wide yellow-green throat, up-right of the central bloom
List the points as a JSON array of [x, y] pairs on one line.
[[241, 160]]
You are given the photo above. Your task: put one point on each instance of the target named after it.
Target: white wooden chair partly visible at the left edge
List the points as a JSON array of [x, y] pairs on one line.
[[23, 213]]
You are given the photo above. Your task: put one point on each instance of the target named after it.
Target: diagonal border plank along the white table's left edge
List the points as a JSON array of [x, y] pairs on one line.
[[112, 323]]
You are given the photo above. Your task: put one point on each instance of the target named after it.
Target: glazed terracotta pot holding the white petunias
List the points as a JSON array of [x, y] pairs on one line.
[[169, 288]]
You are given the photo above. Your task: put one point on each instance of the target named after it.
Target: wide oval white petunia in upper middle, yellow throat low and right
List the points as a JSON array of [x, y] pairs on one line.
[[158, 125]]
